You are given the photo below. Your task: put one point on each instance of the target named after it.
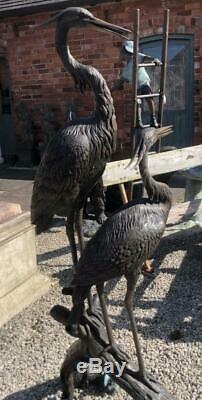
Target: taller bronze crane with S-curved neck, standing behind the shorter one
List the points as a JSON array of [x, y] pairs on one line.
[[75, 158]]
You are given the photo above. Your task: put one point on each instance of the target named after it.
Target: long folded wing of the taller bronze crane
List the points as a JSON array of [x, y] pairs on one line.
[[63, 166]]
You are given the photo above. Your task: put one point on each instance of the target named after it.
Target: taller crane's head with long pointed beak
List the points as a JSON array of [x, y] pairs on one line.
[[77, 16]]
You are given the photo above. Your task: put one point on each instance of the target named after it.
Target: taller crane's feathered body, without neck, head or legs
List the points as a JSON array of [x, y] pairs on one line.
[[72, 162]]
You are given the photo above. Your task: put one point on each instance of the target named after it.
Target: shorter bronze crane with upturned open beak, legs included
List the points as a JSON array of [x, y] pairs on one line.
[[123, 243]]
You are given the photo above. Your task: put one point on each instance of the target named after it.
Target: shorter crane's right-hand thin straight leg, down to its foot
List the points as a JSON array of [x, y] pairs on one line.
[[131, 283]]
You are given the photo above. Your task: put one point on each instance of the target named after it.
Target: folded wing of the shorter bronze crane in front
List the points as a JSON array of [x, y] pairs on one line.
[[127, 238]]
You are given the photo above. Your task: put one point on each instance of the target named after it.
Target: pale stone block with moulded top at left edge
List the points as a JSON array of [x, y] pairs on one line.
[[20, 281]]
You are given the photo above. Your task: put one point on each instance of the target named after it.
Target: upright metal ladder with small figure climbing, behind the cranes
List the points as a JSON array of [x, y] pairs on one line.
[[136, 99]]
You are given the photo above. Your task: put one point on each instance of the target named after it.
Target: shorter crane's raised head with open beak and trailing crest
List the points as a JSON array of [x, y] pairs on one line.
[[145, 138]]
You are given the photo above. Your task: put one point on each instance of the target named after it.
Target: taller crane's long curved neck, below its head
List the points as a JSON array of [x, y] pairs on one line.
[[86, 76]]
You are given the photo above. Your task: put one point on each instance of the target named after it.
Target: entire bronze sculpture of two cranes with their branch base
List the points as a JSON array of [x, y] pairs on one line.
[[122, 243]]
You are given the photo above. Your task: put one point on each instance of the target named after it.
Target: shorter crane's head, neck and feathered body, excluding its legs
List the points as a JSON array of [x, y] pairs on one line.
[[131, 234]]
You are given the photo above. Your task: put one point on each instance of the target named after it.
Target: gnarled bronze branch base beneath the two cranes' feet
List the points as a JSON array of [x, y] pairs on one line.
[[93, 342]]
